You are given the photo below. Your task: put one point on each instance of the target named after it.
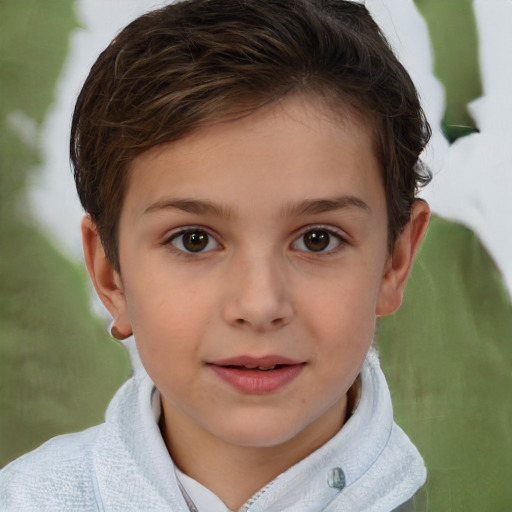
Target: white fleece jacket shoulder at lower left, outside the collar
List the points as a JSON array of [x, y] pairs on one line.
[[59, 475]]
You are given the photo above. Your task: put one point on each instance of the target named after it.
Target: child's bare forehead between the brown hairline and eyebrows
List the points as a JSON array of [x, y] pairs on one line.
[[291, 150]]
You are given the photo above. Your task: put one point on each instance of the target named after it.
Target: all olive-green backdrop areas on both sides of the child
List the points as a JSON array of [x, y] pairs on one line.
[[447, 352]]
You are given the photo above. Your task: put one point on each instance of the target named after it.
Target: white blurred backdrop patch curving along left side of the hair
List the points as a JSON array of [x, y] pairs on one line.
[[52, 192]]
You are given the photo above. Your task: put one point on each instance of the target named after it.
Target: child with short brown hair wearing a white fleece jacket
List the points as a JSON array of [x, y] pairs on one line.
[[249, 171]]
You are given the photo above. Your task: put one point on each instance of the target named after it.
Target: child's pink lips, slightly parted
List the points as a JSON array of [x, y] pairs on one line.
[[233, 371]]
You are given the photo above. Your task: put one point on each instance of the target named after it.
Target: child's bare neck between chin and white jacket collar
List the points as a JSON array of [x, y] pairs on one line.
[[233, 472]]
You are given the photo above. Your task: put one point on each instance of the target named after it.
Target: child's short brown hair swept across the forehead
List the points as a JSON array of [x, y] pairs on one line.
[[198, 62]]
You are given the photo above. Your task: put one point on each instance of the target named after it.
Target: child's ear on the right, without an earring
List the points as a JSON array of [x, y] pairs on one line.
[[399, 263]]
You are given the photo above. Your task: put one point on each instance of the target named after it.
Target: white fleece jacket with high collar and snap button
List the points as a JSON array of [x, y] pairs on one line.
[[123, 464]]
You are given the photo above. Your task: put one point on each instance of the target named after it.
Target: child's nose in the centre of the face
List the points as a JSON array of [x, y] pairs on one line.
[[259, 295]]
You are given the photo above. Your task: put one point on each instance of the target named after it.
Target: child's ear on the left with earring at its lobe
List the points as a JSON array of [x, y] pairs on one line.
[[106, 280]]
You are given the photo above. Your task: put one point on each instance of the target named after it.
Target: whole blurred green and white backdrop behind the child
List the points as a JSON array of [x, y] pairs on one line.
[[447, 353]]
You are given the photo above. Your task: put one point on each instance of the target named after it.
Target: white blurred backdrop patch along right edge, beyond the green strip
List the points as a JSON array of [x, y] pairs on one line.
[[475, 185]]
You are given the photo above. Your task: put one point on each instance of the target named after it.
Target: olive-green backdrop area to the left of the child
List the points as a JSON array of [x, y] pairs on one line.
[[58, 367]]
